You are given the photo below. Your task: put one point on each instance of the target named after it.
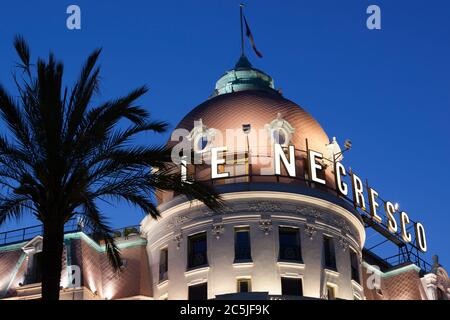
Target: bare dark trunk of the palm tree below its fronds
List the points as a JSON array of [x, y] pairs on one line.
[[52, 259]]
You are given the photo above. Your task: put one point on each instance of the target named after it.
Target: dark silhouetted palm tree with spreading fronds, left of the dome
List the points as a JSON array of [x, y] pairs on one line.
[[61, 155]]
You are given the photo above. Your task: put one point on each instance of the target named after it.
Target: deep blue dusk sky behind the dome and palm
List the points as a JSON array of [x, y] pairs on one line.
[[387, 90]]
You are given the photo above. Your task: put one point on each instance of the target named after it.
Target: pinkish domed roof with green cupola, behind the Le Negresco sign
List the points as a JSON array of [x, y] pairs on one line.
[[246, 115]]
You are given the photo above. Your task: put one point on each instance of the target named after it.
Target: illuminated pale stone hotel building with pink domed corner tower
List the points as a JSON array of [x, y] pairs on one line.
[[278, 237]]
